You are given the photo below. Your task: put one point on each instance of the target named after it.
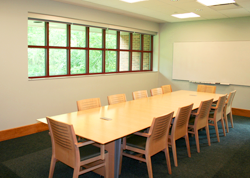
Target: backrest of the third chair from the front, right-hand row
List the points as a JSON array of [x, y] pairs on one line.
[[201, 119]]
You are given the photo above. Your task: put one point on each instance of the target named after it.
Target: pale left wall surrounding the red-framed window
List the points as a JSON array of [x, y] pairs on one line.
[[23, 101]]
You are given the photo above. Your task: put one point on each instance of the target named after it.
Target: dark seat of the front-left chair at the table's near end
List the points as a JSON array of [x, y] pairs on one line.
[[89, 151]]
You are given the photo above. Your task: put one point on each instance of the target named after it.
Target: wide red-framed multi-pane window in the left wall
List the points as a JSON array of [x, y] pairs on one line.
[[59, 49]]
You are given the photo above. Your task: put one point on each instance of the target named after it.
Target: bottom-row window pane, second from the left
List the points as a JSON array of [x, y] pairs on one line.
[[57, 62]]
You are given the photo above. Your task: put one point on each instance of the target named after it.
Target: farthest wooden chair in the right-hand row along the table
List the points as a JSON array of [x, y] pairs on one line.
[[228, 109]]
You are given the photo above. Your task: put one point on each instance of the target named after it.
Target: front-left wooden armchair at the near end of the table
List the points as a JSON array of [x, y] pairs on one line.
[[66, 149]]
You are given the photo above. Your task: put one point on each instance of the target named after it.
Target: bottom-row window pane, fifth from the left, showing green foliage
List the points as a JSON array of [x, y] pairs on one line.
[[111, 61]]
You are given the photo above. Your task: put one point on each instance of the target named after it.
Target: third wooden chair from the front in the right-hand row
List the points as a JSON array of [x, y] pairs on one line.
[[199, 120]]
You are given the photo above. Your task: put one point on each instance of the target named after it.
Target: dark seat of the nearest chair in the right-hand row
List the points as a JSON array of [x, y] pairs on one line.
[[137, 141]]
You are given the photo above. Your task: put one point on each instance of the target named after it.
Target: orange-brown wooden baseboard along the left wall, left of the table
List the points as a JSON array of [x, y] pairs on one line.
[[22, 131]]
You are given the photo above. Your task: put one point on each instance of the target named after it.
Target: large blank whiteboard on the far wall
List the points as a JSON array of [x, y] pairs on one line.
[[212, 62]]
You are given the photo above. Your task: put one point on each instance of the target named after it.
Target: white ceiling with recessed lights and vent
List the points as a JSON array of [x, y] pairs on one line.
[[160, 11]]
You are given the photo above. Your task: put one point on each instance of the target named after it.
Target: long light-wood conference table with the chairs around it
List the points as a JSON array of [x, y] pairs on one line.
[[108, 124]]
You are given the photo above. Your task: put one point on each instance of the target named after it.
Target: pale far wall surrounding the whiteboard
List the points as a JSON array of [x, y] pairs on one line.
[[235, 29]]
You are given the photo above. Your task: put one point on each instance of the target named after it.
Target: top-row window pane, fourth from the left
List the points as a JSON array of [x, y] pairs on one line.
[[95, 37]]
